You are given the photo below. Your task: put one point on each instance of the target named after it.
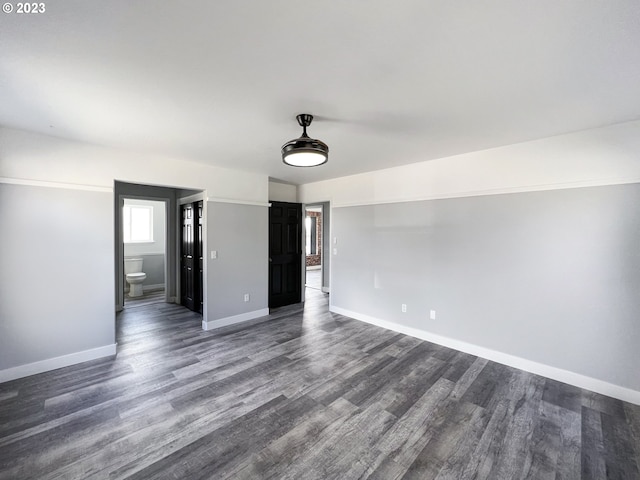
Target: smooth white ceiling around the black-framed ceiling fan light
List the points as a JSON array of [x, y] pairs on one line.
[[390, 83]]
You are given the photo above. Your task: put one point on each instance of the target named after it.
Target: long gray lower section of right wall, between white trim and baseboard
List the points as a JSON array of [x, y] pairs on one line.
[[552, 277]]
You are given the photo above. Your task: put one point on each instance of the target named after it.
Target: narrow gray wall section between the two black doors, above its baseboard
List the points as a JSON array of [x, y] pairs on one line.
[[239, 234]]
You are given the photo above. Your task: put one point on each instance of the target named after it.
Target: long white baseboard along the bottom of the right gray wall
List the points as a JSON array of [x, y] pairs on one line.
[[554, 373]]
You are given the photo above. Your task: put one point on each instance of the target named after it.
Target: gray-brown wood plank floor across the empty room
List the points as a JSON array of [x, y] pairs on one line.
[[303, 395]]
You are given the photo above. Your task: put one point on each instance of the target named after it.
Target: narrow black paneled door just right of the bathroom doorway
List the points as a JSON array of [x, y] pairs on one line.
[[188, 264]]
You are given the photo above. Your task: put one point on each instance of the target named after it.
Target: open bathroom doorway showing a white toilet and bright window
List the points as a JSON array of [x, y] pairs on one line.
[[144, 226]]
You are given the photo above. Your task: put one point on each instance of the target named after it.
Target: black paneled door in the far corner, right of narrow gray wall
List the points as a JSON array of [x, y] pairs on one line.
[[285, 253]]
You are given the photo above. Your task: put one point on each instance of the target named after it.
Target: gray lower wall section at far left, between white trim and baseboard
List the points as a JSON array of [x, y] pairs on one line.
[[56, 273]]
